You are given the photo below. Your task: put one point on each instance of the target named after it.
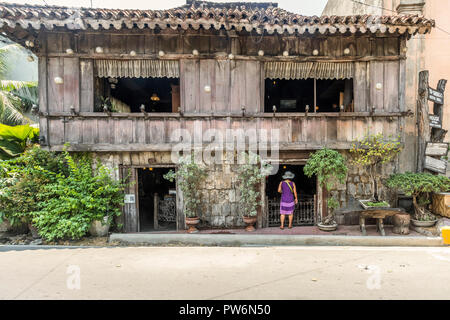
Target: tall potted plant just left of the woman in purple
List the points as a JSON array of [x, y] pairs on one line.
[[250, 175]]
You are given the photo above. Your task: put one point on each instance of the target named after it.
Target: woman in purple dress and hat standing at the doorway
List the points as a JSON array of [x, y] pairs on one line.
[[288, 198]]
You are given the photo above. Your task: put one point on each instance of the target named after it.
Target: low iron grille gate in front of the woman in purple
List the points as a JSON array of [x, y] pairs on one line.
[[304, 212]]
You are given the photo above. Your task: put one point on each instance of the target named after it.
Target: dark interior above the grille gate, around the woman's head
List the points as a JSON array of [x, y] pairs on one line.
[[306, 187]]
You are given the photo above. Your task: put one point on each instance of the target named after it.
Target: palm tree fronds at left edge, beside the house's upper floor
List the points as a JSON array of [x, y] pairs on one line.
[[16, 97]]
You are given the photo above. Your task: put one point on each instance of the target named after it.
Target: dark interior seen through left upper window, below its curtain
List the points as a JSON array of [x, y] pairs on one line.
[[156, 94]]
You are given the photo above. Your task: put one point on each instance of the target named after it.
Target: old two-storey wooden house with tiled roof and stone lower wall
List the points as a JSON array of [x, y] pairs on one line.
[[118, 83]]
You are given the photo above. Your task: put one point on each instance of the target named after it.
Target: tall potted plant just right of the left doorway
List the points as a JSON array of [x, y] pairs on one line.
[[189, 176]]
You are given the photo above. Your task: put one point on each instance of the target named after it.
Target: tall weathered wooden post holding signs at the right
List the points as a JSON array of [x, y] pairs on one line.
[[423, 124]]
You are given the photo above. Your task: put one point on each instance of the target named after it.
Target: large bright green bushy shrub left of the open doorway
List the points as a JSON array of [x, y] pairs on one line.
[[67, 206]]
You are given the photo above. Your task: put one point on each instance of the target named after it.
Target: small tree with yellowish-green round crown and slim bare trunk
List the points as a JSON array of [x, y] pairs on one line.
[[371, 152]]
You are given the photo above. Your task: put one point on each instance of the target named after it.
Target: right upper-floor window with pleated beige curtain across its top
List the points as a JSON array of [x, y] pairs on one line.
[[316, 86]]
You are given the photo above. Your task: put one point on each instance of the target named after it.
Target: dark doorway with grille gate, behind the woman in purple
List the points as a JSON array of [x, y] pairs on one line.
[[304, 213]]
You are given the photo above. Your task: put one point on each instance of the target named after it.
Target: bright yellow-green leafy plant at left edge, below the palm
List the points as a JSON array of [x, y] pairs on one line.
[[14, 140]]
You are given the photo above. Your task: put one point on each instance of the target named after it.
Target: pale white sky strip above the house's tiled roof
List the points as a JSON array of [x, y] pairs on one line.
[[304, 7]]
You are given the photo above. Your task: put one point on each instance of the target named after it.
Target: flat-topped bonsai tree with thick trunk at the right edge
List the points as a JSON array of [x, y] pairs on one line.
[[418, 185]]
